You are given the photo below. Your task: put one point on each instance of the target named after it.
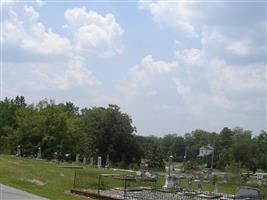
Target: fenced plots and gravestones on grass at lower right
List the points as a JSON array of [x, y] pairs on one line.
[[178, 184]]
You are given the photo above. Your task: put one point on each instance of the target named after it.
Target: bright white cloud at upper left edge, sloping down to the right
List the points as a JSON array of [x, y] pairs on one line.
[[32, 36]]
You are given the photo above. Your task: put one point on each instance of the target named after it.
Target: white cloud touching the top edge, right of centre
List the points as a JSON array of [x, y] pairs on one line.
[[176, 14]]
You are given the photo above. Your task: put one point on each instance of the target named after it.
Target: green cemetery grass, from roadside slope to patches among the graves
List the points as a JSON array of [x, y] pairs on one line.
[[53, 181]]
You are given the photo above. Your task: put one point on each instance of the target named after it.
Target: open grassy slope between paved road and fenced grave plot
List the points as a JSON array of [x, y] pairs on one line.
[[39, 177]]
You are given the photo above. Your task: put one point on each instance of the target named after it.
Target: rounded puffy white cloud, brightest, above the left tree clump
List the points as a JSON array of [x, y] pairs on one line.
[[93, 33]]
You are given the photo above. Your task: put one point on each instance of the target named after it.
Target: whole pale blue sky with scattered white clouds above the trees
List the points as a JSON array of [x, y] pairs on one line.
[[173, 66]]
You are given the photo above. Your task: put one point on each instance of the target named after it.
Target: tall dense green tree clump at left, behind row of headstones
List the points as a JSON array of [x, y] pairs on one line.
[[61, 129]]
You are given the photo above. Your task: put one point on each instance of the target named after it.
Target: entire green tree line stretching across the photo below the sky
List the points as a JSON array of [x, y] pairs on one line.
[[66, 129]]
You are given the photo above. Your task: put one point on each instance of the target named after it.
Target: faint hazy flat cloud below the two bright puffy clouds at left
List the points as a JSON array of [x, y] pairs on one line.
[[66, 75]]
